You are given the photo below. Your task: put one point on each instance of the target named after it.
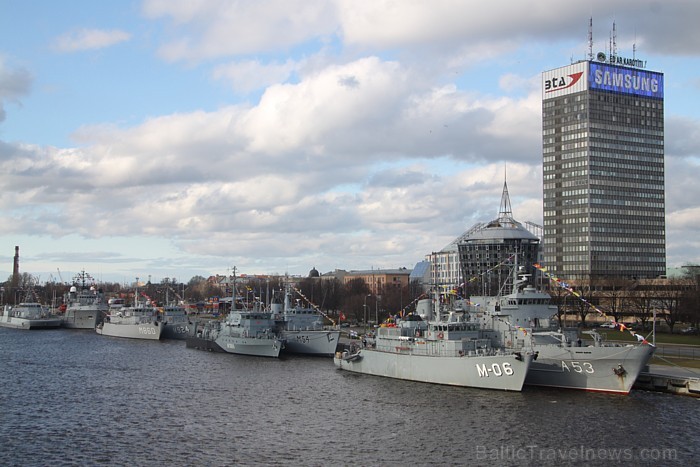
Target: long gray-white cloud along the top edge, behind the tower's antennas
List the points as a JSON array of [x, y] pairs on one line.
[[209, 29]]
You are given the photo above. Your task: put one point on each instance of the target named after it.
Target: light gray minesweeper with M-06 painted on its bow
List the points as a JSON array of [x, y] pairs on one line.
[[449, 350]]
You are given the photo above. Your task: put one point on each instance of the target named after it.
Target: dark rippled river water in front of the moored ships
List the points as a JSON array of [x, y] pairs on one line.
[[71, 397]]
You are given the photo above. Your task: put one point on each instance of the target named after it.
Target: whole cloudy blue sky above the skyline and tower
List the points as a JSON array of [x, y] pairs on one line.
[[173, 138]]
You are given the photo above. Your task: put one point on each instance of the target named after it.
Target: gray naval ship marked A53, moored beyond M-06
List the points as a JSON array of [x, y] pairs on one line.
[[523, 319]]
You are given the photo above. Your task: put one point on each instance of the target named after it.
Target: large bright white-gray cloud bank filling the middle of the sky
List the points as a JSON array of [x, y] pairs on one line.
[[276, 168]]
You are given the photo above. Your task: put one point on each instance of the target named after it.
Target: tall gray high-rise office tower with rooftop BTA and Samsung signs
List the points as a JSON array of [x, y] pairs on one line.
[[603, 167]]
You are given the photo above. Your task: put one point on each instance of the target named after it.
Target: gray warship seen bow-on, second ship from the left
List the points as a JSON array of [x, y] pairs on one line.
[[85, 305]]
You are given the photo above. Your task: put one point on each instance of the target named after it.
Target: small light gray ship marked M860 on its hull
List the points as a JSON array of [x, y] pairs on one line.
[[133, 322]]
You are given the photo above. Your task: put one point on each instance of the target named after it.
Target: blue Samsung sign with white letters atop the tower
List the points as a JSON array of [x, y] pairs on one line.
[[625, 80]]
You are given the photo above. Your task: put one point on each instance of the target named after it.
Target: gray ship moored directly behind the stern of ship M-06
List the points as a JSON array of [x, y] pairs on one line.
[[302, 328]]
